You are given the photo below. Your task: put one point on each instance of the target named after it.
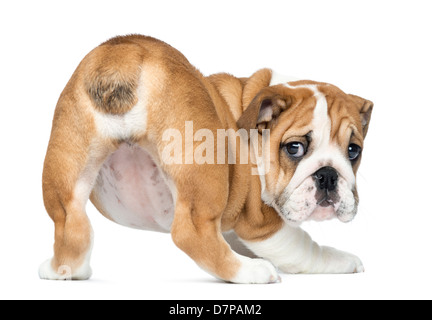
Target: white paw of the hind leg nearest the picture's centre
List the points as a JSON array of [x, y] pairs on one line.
[[255, 271]]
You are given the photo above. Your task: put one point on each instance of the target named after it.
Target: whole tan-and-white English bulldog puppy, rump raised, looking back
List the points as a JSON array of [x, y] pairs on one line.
[[143, 134]]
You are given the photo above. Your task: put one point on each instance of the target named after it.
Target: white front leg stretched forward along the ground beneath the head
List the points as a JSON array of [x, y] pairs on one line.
[[293, 251]]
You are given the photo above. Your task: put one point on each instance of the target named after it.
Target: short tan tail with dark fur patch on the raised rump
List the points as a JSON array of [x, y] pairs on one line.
[[112, 73]]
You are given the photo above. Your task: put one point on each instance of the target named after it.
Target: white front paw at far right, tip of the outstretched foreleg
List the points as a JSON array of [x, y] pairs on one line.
[[336, 261]]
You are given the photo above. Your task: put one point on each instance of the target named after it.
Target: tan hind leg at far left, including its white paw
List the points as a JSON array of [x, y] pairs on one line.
[[71, 167]]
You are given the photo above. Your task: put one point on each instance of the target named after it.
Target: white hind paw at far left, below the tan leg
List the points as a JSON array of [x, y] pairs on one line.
[[64, 272]]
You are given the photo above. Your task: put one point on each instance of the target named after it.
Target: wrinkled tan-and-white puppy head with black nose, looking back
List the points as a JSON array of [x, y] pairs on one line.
[[316, 141]]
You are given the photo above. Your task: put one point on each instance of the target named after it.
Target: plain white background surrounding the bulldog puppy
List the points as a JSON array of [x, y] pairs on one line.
[[380, 50]]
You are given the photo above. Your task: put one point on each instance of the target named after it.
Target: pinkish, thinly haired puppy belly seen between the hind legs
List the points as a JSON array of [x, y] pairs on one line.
[[131, 191]]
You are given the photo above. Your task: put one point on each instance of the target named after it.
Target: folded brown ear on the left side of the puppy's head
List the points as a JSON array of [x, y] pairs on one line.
[[265, 107]]
